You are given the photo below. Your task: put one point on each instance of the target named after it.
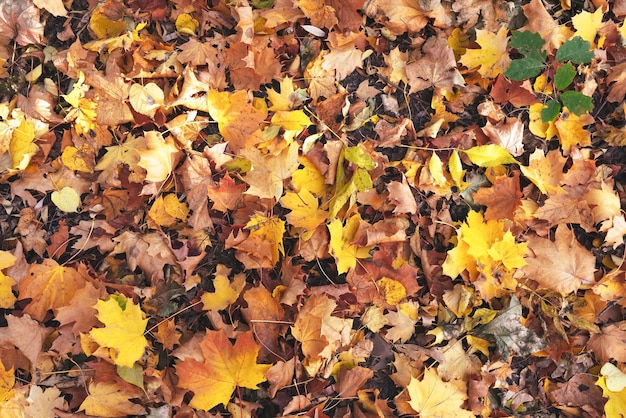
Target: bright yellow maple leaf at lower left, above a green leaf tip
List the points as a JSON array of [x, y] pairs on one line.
[[123, 332]]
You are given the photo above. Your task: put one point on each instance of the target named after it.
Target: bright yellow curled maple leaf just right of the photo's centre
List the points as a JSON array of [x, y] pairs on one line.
[[341, 247]]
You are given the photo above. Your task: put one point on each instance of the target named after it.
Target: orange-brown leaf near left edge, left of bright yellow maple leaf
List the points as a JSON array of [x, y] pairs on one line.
[[50, 286]]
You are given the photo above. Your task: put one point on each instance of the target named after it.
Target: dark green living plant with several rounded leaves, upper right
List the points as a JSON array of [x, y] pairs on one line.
[[573, 51]]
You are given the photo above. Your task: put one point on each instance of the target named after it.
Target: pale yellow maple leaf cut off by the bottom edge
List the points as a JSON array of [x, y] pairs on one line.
[[431, 397]]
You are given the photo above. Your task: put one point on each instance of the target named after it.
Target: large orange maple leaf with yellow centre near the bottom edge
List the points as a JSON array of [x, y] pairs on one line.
[[225, 367]]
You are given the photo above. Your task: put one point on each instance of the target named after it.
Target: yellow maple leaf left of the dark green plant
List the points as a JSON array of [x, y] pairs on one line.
[[492, 58]]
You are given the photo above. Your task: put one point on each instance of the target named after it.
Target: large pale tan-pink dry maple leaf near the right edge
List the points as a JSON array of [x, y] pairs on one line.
[[562, 265]]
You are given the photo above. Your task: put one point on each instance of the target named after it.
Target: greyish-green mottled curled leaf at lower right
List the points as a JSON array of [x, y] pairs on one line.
[[509, 333]]
